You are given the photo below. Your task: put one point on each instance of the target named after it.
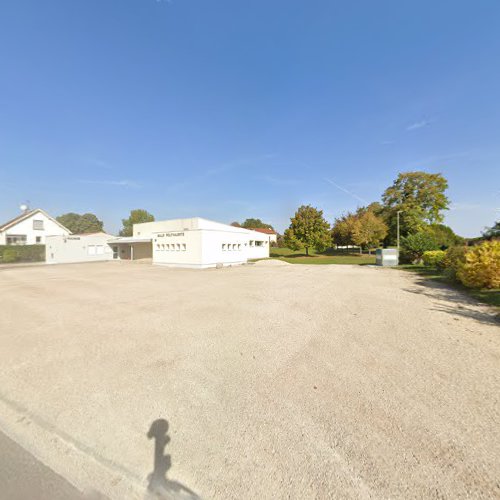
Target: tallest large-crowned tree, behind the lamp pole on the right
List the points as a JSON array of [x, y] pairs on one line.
[[421, 198]]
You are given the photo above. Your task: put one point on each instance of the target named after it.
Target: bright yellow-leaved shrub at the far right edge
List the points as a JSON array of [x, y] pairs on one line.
[[481, 267]]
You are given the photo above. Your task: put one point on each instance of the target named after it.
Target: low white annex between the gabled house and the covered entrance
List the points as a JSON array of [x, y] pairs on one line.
[[65, 249]]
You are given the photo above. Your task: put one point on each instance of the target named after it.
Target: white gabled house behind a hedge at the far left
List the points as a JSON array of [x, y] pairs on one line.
[[30, 228]]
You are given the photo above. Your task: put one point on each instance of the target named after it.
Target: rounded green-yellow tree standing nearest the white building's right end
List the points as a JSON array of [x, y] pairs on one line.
[[308, 229]]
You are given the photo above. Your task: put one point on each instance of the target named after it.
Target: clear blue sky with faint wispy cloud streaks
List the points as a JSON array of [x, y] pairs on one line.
[[232, 109]]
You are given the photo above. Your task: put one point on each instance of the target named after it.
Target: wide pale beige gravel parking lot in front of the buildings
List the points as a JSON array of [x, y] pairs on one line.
[[277, 381]]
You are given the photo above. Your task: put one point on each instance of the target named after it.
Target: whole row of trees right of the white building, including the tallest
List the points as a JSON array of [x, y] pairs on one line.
[[418, 197]]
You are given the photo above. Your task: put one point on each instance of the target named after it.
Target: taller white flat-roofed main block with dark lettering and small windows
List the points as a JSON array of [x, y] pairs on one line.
[[201, 243]]
